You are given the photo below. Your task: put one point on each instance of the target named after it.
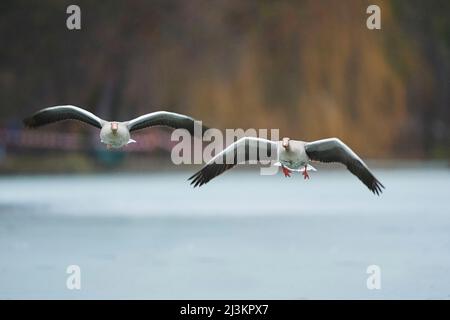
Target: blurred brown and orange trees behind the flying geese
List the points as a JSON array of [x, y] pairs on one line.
[[310, 68]]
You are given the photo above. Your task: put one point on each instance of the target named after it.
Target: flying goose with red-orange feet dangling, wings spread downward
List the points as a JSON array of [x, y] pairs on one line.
[[292, 155]]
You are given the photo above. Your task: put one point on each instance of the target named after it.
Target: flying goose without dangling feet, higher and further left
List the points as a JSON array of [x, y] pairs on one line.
[[112, 133]]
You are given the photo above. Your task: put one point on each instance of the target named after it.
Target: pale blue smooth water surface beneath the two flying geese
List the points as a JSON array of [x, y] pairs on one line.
[[241, 236]]
